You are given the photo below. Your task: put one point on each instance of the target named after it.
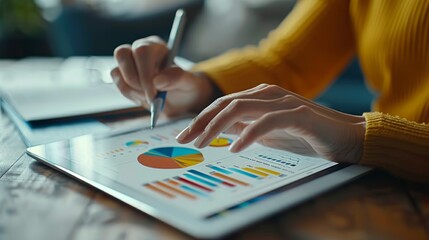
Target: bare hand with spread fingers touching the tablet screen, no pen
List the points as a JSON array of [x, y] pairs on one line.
[[280, 119]]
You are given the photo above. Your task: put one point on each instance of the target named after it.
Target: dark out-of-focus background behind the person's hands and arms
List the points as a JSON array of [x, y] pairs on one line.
[[65, 28]]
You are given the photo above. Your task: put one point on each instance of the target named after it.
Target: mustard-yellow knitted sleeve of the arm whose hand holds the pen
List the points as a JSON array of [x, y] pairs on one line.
[[310, 47]]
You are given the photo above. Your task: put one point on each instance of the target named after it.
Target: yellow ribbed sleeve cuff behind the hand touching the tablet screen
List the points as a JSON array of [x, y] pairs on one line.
[[397, 145]]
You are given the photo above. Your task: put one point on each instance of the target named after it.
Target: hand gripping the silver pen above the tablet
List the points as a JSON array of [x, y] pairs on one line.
[[141, 73]]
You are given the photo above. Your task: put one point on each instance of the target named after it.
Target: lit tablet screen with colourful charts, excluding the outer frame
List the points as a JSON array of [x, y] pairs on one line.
[[201, 182]]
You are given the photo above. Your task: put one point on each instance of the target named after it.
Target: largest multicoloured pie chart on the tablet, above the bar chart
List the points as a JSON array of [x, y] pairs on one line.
[[170, 157]]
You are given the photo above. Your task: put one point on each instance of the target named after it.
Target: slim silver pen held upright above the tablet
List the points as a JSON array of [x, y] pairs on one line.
[[176, 33]]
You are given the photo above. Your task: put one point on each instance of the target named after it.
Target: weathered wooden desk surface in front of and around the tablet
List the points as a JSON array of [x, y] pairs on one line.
[[37, 202]]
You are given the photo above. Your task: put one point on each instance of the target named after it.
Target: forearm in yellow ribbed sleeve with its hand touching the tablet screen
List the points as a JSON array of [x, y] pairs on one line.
[[282, 119]]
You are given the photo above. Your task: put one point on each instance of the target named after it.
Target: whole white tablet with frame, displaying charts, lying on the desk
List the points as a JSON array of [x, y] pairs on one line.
[[207, 193]]
